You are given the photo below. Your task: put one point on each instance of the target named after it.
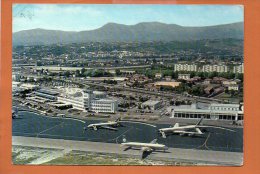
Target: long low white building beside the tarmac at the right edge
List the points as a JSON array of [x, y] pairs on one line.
[[212, 112]]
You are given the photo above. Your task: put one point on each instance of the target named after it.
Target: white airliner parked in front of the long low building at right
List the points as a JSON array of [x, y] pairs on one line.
[[189, 130]]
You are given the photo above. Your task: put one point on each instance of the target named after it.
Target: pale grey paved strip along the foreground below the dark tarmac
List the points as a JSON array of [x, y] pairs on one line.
[[177, 154]]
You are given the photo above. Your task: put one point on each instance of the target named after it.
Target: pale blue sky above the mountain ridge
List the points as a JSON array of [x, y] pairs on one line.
[[88, 17]]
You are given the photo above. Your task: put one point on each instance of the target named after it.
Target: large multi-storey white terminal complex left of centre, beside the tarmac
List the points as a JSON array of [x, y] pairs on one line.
[[85, 100]]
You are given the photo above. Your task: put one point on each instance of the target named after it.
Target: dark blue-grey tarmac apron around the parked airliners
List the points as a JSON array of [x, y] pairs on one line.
[[34, 125]]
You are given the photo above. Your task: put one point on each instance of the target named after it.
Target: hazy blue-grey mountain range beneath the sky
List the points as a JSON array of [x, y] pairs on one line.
[[141, 32]]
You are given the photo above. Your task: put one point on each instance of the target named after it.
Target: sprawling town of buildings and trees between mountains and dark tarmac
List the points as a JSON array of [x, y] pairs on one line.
[[125, 83]]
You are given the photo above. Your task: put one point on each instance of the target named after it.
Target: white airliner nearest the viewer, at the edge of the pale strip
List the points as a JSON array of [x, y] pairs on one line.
[[146, 148]]
